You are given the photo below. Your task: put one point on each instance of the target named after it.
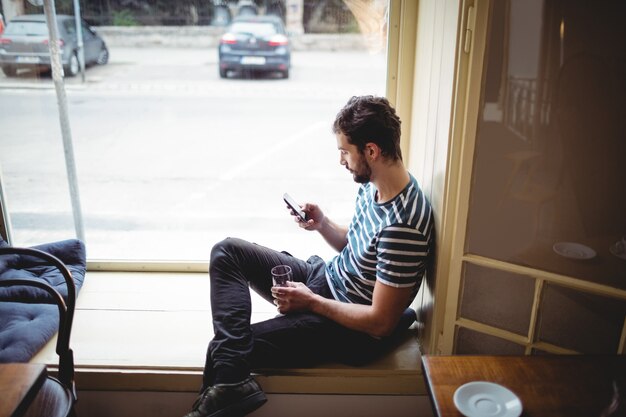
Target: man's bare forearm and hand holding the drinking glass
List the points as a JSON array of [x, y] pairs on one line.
[[378, 319]]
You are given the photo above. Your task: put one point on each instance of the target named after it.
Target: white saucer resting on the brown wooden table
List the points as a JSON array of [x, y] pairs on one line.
[[486, 399]]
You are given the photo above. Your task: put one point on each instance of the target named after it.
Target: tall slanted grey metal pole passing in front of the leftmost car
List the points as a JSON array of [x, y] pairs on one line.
[[57, 76]]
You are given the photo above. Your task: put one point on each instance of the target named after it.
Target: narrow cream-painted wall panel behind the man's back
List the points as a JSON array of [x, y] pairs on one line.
[[431, 117]]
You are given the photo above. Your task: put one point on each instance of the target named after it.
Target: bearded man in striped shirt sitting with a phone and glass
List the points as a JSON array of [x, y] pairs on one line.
[[344, 309]]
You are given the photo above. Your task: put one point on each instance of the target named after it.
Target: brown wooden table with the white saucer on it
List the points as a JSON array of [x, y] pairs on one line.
[[554, 385]]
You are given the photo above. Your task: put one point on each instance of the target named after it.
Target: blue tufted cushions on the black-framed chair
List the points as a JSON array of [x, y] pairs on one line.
[[28, 317]]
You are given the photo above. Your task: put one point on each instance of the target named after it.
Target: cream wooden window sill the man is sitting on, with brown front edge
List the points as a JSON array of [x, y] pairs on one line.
[[139, 332]]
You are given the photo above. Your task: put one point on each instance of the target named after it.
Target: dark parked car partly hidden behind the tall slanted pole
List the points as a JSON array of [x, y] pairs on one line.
[[24, 44]]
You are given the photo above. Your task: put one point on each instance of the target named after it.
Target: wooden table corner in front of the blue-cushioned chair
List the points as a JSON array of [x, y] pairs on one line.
[[19, 383]]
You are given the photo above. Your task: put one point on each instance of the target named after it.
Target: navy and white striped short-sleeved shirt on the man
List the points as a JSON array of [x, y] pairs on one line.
[[388, 242]]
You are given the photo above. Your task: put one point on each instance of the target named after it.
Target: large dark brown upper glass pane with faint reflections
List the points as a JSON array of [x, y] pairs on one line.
[[549, 181]]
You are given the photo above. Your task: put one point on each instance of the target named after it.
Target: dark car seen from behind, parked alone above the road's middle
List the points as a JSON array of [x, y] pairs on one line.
[[255, 43]]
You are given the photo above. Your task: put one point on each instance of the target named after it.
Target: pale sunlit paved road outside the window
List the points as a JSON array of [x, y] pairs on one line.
[[172, 158]]
